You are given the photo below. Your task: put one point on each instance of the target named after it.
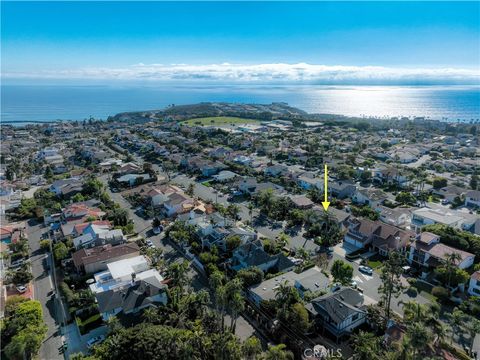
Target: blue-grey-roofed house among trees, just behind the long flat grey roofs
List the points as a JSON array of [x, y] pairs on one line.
[[253, 254]]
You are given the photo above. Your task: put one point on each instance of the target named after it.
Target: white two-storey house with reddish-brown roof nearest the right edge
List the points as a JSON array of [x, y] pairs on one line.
[[428, 252]]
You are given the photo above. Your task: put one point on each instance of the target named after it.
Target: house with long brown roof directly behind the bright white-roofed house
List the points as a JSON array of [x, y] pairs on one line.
[[95, 259]]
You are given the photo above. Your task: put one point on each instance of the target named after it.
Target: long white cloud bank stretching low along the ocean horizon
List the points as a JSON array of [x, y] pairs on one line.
[[263, 73]]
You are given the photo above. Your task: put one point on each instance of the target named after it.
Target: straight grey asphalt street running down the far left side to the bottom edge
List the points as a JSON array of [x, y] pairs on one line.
[[43, 284]]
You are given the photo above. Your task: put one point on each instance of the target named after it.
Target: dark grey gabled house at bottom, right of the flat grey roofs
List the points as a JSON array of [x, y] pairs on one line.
[[338, 313]]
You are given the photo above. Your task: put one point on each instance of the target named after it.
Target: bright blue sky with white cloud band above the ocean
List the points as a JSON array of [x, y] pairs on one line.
[[313, 42]]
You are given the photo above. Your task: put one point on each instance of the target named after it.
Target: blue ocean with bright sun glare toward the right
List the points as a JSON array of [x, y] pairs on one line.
[[26, 103]]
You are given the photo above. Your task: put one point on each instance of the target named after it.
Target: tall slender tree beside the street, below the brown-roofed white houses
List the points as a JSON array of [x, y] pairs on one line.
[[391, 282]]
